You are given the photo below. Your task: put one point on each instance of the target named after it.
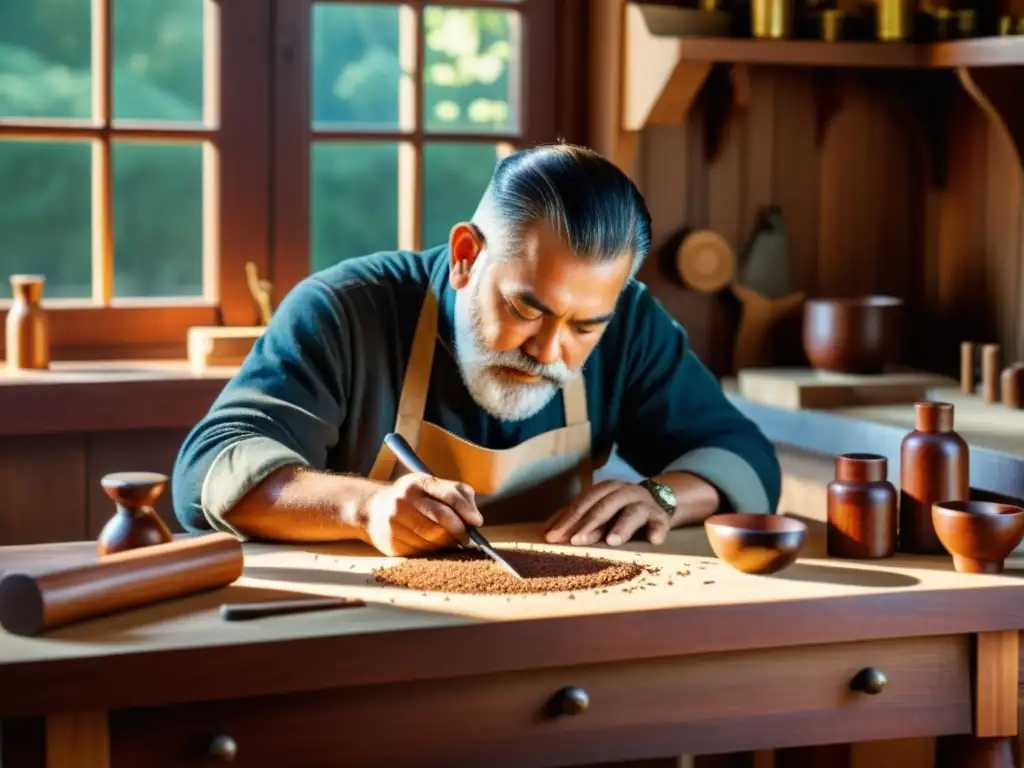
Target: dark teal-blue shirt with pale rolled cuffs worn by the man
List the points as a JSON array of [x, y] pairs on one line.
[[321, 389]]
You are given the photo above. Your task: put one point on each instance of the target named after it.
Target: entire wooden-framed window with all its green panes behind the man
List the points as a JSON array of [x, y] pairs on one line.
[[150, 149]]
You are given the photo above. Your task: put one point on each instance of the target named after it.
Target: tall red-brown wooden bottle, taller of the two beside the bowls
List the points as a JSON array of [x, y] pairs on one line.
[[935, 465]]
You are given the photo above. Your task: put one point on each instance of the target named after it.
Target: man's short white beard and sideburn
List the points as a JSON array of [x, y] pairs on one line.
[[500, 397]]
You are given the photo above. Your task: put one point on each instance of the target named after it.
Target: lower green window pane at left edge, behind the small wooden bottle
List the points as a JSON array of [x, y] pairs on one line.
[[47, 216]]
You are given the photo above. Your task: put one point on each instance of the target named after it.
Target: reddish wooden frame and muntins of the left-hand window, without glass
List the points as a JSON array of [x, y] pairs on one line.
[[237, 148]]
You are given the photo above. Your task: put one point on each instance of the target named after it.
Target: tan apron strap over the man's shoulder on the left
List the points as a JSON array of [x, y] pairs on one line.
[[413, 401]]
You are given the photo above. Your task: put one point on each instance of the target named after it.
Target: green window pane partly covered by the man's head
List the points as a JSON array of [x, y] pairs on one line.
[[454, 179]]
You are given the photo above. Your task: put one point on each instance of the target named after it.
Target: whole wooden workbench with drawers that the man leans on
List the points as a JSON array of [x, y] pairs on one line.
[[717, 662]]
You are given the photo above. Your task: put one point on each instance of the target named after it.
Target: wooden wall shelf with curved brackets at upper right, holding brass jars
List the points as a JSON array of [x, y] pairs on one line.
[[662, 73]]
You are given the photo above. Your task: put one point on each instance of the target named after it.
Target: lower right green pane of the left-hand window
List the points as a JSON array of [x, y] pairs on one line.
[[158, 220]]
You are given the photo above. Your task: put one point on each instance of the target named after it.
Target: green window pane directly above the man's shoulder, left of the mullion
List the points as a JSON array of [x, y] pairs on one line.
[[355, 200]]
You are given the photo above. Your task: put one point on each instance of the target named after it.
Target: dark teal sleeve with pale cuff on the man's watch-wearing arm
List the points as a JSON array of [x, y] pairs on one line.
[[675, 417]]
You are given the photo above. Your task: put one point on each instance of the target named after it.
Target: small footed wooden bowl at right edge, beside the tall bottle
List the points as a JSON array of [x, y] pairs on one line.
[[978, 535]]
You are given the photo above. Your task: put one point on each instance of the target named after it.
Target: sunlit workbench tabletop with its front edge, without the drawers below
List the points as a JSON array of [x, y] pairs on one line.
[[713, 610]]
